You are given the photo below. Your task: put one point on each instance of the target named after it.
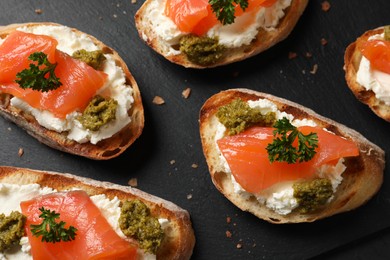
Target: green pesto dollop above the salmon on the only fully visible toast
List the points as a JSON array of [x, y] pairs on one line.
[[238, 116]]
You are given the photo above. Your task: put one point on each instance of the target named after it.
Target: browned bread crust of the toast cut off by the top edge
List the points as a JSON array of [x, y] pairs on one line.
[[264, 39]]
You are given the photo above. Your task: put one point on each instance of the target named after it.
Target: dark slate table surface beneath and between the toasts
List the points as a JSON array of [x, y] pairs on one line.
[[163, 158]]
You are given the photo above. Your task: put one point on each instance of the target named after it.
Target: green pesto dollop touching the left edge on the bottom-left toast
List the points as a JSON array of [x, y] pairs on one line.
[[11, 229]]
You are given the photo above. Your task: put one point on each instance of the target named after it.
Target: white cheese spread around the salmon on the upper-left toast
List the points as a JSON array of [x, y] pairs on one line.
[[115, 87]]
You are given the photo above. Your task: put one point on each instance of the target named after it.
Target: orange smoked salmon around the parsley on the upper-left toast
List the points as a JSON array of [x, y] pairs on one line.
[[79, 81]]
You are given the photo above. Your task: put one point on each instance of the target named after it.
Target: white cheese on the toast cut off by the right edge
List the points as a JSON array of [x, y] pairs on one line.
[[371, 79]]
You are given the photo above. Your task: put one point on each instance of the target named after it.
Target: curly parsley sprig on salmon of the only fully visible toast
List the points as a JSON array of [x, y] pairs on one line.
[[282, 149]]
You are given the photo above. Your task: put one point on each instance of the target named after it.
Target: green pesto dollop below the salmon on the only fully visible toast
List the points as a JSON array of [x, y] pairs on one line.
[[311, 195]]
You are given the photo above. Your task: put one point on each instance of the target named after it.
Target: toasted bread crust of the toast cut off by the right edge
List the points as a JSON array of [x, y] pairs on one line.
[[352, 60]]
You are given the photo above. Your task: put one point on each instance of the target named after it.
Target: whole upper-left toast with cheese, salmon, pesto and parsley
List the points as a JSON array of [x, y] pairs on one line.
[[68, 90]]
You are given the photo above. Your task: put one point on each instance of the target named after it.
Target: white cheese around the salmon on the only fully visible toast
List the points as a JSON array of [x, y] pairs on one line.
[[279, 197]]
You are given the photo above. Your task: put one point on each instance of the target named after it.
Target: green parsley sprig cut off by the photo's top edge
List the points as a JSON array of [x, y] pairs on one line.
[[224, 9]]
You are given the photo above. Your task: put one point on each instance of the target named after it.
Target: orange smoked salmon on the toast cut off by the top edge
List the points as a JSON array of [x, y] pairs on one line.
[[197, 17]]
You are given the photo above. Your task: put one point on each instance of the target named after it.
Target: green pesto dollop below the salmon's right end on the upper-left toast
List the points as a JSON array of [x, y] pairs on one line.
[[99, 112]]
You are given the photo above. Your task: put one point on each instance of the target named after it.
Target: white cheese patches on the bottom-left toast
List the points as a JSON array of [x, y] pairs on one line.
[[11, 195]]
